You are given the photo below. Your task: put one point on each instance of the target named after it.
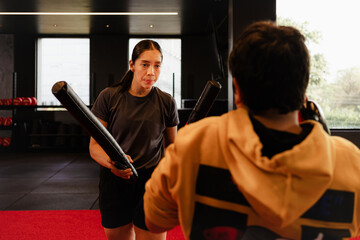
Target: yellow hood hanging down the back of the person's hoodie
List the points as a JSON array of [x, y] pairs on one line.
[[281, 188]]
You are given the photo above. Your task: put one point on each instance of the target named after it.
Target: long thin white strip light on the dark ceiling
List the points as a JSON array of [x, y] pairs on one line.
[[91, 13]]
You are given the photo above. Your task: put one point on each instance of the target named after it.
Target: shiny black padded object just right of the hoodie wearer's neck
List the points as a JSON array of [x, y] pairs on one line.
[[311, 110]]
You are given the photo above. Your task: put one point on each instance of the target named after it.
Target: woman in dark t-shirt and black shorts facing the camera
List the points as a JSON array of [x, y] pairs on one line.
[[143, 120]]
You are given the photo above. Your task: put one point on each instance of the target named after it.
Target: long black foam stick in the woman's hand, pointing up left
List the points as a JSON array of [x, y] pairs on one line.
[[71, 101]]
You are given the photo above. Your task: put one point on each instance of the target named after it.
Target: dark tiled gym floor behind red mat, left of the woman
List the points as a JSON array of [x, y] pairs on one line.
[[48, 181]]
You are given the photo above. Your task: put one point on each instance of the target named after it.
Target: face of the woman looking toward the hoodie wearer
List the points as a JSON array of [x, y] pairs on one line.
[[146, 69]]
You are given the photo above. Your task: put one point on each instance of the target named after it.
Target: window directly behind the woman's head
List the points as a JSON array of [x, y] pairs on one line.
[[170, 75]]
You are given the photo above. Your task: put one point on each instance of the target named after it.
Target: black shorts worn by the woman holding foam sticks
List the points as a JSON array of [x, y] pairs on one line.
[[121, 202]]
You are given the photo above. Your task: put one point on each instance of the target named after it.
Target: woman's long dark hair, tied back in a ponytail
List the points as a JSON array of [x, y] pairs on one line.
[[139, 48]]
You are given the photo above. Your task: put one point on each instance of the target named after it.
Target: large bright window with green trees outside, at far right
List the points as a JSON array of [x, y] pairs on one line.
[[333, 41]]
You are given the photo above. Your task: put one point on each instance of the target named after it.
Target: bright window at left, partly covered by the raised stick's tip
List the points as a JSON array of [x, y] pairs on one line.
[[63, 59]]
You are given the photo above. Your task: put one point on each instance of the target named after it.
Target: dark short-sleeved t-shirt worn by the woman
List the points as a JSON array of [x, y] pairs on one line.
[[138, 123]]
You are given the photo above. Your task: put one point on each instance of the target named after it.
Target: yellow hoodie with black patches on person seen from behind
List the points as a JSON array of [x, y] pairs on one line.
[[214, 182]]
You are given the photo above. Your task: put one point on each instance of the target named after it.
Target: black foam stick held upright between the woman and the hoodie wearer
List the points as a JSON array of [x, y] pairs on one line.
[[205, 102]]
